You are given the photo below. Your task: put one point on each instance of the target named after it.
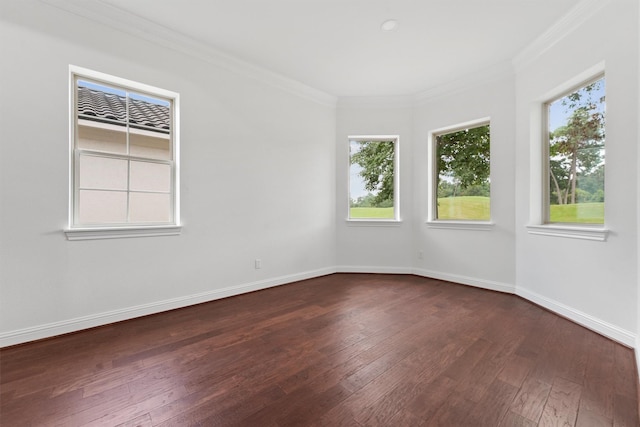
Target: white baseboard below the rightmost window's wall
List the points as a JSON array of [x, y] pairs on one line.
[[616, 333]]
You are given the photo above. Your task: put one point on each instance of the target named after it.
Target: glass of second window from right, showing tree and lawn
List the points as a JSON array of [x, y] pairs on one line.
[[462, 169]]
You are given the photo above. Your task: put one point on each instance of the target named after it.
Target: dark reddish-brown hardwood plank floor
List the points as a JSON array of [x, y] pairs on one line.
[[339, 350]]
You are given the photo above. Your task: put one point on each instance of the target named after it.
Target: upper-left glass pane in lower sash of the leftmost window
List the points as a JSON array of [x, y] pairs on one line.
[[103, 173]]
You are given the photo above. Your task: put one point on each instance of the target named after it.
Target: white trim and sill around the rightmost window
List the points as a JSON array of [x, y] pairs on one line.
[[539, 167]]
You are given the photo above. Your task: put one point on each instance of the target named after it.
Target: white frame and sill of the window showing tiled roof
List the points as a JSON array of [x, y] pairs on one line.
[[78, 231]]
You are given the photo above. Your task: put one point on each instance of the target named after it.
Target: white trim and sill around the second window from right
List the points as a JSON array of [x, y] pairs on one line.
[[432, 221]]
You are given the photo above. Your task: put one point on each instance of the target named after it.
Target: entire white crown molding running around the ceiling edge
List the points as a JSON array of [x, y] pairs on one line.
[[140, 27]]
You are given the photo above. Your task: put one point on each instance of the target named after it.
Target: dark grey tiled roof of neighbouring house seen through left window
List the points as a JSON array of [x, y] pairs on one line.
[[110, 108]]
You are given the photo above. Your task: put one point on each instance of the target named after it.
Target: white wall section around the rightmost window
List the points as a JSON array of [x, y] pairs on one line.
[[595, 283]]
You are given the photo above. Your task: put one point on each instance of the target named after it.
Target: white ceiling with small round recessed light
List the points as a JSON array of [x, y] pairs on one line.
[[337, 46]]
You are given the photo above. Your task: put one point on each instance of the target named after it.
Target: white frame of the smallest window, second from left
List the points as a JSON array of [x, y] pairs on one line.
[[396, 220]]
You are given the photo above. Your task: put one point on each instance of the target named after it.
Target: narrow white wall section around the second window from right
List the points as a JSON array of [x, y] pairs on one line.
[[484, 258]]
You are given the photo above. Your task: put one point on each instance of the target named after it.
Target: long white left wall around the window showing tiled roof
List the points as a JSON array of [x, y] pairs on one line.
[[258, 181]]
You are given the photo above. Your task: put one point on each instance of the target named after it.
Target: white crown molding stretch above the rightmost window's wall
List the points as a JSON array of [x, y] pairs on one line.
[[562, 28]]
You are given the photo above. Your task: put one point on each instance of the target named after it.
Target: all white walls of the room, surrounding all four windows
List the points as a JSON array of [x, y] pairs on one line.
[[264, 175]]
